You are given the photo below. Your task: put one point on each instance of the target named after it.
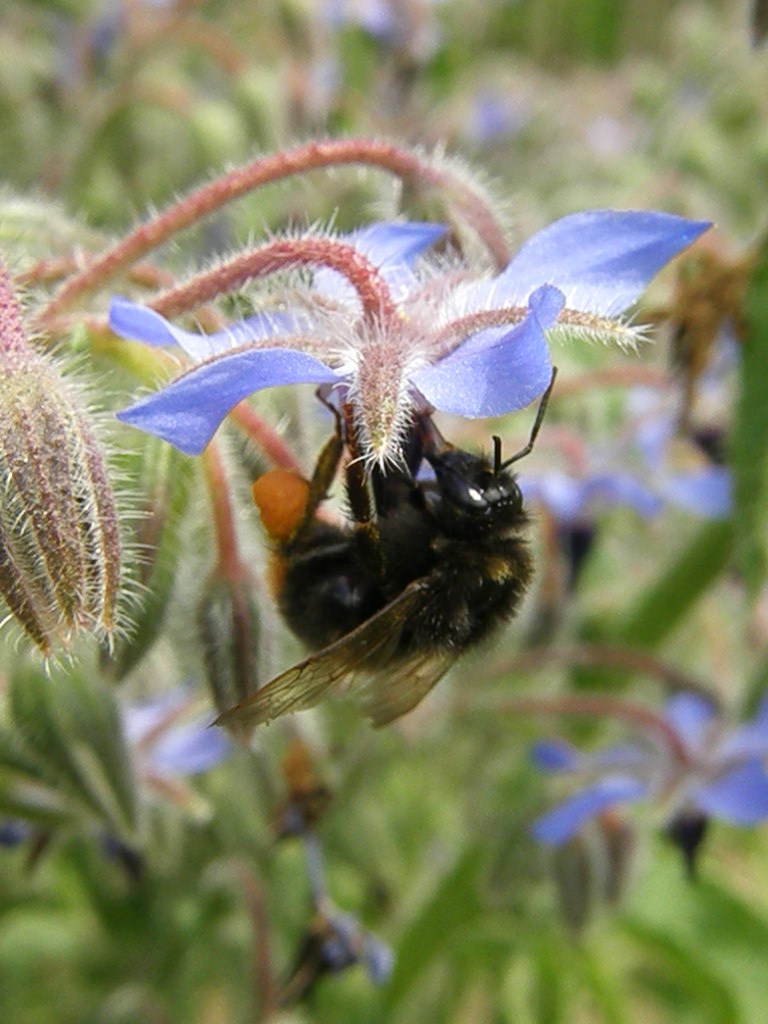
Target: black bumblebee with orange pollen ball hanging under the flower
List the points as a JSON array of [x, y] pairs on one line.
[[425, 571]]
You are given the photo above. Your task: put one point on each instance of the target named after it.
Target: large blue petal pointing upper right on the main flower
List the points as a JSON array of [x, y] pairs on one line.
[[603, 260]]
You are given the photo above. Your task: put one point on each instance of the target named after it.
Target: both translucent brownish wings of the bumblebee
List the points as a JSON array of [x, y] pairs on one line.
[[360, 664]]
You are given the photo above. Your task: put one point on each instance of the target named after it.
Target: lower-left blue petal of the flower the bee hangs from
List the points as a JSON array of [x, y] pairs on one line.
[[189, 411]]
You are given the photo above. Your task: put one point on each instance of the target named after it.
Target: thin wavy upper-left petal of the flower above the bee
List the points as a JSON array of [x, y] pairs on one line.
[[142, 324]]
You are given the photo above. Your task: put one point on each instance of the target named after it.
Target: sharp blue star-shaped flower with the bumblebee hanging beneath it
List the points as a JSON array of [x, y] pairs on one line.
[[468, 347]]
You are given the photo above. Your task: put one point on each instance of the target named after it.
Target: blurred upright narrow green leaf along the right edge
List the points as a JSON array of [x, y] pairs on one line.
[[750, 441]]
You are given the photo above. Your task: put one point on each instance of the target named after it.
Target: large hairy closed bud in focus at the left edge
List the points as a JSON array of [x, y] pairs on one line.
[[60, 544]]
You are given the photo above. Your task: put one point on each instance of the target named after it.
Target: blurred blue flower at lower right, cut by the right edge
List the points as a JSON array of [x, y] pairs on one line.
[[710, 770]]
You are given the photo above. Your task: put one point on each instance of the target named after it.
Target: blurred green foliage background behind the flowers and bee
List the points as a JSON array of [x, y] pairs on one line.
[[625, 104]]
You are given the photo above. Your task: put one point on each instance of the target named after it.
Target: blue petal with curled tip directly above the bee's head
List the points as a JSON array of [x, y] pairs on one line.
[[498, 371]]
